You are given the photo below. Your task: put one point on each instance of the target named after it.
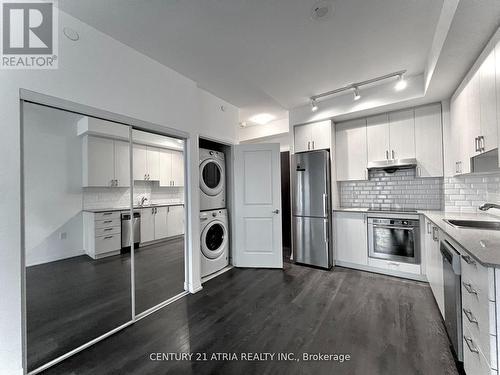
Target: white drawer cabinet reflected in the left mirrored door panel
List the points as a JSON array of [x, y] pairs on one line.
[[102, 234]]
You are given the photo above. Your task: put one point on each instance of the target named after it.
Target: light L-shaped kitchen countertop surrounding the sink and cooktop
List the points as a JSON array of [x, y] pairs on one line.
[[483, 245]]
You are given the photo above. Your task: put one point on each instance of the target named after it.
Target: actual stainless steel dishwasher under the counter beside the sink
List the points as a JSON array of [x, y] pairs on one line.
[[452, 296]]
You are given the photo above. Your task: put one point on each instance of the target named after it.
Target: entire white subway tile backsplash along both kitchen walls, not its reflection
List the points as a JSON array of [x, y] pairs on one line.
[[403, 190]]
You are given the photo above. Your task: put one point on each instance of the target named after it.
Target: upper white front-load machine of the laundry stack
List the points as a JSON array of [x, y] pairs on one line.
[[212, 180]]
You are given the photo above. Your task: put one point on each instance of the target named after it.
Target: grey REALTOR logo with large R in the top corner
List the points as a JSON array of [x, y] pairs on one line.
[[29, 34]]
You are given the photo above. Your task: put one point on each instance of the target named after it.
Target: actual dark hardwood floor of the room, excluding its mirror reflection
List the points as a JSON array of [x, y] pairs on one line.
[[387, 326]]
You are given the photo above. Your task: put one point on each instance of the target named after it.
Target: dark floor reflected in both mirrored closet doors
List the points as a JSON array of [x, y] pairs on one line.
[[72, 301]]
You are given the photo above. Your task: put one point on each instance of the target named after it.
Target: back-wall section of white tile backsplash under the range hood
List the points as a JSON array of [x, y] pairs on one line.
[[400, 189]]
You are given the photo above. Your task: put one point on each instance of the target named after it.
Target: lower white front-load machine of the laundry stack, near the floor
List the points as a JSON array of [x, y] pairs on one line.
[[214, 241]]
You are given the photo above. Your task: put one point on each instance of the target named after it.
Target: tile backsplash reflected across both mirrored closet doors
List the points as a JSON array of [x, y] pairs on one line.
[[96, 198]]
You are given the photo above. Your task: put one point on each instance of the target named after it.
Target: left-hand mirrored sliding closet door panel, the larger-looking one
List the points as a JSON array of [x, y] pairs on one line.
[[78, 281]]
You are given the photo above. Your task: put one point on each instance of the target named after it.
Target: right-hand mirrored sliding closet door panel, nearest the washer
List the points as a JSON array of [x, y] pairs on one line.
[[158, 174]]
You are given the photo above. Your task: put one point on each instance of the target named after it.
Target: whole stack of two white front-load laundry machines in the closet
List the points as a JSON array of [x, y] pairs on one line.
[[213, 216]]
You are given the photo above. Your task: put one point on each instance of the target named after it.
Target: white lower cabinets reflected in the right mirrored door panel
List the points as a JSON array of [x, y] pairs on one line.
[[161, 222]]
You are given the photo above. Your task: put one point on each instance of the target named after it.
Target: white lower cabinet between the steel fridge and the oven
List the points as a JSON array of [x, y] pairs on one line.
[[351, 237]]
